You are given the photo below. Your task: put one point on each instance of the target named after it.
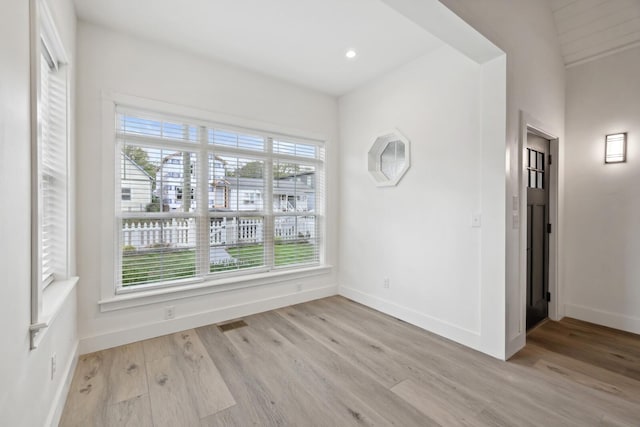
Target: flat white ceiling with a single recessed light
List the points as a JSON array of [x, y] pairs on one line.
[[301, 41]]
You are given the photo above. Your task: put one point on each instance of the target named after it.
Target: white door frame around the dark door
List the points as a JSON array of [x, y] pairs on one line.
[[529, 124]]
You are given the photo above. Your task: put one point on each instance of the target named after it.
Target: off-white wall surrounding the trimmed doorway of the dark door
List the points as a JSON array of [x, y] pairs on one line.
[[525, 31]]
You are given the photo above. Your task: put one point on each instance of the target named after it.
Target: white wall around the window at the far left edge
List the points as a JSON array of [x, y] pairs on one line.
[[28, 397]]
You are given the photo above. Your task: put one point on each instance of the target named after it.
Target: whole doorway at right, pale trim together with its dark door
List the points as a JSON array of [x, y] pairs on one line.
[[536, 218]]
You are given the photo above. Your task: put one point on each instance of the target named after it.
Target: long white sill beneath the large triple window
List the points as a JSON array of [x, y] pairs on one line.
[[158, 295]]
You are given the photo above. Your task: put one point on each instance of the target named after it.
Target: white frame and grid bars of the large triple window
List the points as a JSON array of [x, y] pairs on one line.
[[277, 148]]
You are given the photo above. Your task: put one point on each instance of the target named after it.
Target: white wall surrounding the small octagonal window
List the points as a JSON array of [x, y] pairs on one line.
[[418, 234]]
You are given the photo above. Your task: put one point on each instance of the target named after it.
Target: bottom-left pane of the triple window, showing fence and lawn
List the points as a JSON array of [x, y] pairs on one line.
[[157, 250]]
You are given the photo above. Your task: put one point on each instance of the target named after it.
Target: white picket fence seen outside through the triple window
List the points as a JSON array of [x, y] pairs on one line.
[[181, 232]]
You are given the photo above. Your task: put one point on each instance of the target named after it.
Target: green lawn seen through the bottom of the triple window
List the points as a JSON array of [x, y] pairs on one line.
[[178, 264]]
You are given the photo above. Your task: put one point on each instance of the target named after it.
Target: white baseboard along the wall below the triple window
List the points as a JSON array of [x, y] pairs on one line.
[[195, 320]]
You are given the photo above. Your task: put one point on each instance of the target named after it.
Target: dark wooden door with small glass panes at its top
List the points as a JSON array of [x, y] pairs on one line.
[[538, 175]]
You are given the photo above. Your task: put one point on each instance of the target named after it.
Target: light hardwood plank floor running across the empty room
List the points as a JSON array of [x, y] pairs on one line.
[[333, 362]]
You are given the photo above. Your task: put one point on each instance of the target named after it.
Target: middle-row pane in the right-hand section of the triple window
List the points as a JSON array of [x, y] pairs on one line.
[[294, 187]]
